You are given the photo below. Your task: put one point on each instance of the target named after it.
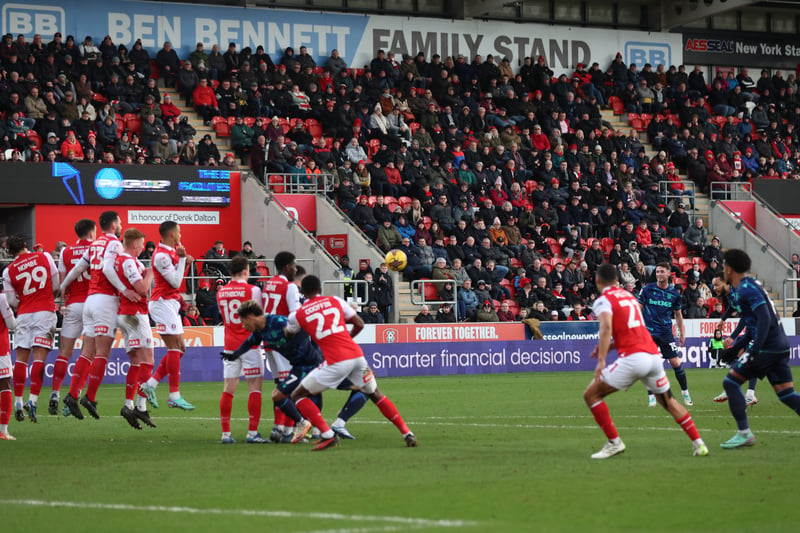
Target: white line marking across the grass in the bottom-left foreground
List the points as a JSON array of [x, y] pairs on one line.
[[405, 522]]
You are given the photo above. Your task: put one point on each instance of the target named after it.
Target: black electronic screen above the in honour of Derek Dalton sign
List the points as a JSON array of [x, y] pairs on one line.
[[89, 184]]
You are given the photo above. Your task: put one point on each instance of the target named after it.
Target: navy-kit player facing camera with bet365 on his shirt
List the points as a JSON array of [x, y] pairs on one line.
[[660, 302]]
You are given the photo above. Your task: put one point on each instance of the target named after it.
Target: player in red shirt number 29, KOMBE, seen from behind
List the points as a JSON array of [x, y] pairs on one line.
[[30, 284]]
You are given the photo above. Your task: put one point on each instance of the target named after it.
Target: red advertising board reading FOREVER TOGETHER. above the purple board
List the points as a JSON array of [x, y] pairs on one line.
[[394, 333]]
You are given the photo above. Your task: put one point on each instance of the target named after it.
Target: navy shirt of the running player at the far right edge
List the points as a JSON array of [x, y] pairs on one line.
[[764, 331]]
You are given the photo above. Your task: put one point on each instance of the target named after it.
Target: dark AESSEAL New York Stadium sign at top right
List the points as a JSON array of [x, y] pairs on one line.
[[739, 48]]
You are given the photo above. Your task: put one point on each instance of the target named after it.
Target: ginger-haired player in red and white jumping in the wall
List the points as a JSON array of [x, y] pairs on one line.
[[134, 323]]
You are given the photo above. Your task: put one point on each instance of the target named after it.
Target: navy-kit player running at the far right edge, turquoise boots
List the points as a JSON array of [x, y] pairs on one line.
[[763, 351]]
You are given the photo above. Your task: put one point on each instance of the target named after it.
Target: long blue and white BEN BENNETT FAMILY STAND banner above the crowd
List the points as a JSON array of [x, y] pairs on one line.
[[356, 37]]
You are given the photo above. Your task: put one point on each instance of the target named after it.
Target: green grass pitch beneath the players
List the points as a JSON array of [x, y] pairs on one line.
[[497, 453]]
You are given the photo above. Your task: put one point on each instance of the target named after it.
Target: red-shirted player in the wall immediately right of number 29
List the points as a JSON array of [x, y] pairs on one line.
[[74, 298]]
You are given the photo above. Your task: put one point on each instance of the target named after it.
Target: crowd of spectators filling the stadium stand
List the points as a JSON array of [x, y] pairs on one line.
[[493, 169]]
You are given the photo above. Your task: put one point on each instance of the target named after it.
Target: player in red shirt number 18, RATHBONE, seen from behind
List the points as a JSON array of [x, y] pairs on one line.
[[250, 365]]
